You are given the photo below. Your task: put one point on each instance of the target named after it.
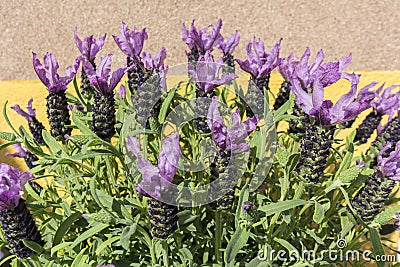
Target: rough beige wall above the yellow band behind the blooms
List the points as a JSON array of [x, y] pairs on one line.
[[370, 29]]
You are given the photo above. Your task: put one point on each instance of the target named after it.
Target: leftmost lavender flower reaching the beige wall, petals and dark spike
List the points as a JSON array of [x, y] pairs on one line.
[[57, 106]]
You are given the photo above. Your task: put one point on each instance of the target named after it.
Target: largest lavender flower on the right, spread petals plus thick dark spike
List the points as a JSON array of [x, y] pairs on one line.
[[318, 139]]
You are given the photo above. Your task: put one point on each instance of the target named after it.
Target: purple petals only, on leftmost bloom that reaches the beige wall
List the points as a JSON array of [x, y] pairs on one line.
[[47, 73]]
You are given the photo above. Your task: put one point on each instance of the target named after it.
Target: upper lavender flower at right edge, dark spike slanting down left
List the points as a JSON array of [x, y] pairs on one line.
[[387, 104]]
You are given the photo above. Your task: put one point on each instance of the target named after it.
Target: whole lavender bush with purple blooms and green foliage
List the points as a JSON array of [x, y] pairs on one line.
[[196, 174]]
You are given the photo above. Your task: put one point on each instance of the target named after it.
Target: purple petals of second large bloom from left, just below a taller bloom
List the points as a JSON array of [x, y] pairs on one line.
[[99, 78]]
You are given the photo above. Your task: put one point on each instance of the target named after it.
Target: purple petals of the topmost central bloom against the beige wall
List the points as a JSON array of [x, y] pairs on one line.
[[200, 39]]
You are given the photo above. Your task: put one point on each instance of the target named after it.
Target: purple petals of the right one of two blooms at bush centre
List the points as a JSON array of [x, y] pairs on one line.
[[231, 139]]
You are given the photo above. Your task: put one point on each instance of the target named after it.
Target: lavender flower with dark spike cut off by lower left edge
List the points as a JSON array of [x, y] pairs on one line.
[[16, 221]]
